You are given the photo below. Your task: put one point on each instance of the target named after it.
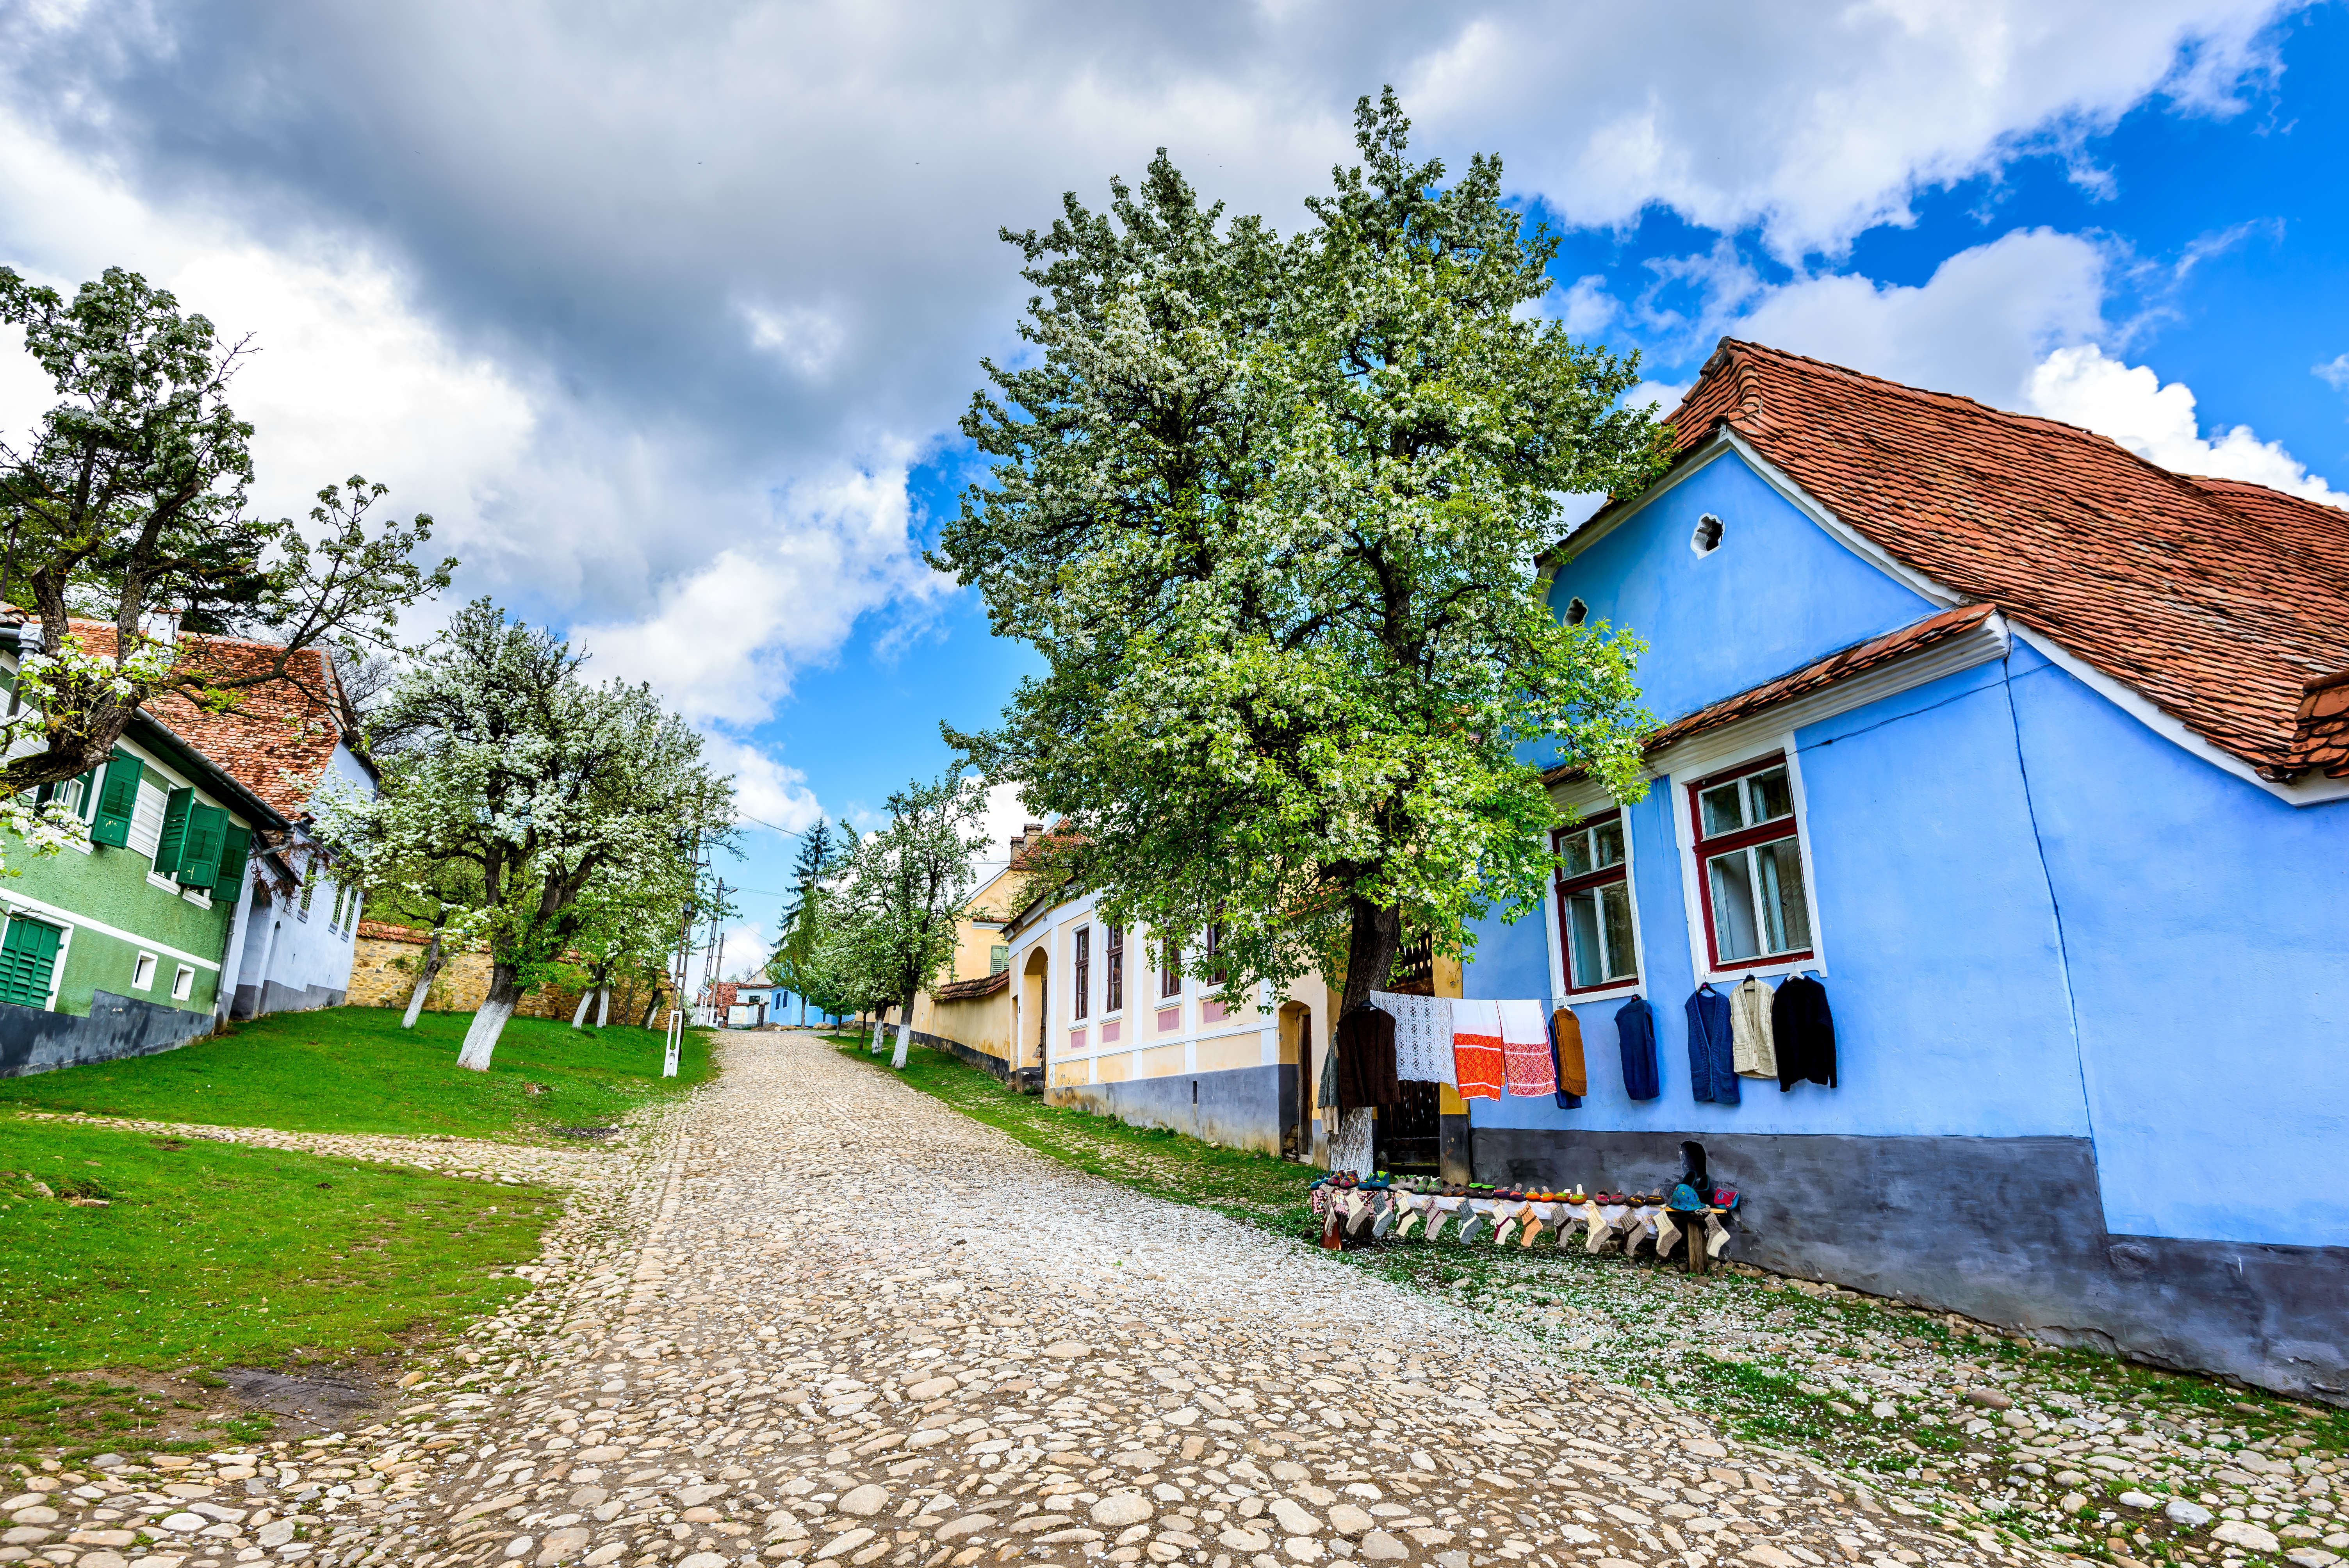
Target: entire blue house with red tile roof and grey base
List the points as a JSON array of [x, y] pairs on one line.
[[2038, 757]]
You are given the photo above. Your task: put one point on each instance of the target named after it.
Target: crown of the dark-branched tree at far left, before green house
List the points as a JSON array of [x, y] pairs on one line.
[[130, 496]]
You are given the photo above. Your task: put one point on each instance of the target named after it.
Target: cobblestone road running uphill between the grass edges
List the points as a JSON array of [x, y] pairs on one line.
[[819, 1318]]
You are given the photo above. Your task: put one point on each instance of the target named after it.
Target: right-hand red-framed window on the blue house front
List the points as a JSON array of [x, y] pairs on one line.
[[1749, 865]]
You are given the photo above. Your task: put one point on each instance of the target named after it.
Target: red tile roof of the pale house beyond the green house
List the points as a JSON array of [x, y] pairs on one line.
[[278, 741]]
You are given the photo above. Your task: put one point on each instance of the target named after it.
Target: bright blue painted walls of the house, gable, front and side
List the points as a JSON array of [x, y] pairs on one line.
[[2038, 917]]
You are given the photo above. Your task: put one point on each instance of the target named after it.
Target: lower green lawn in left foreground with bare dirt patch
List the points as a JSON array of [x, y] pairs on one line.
[[222, 1257]]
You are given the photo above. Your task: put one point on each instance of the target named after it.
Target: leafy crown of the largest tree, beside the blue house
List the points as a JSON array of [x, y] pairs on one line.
[[1274, 513]]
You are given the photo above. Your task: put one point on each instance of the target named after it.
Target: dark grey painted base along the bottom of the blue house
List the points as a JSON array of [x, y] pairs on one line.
[[2007, 1231]]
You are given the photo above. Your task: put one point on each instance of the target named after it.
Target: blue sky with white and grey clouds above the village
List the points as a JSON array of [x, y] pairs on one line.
[[666, 313]]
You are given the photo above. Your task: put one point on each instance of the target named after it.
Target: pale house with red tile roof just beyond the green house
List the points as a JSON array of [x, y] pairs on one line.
[[285, 741]]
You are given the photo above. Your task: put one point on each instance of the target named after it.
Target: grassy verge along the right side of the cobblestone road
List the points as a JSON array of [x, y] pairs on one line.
[[1662, 1332]]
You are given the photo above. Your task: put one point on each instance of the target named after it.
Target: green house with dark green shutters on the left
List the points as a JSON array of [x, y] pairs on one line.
[[119, 949]]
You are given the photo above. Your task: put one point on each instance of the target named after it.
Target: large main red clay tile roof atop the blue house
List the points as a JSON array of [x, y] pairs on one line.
[[2216, 600]]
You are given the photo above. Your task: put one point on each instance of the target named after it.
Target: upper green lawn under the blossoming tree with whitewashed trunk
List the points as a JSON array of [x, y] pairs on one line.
[[354, 1069]]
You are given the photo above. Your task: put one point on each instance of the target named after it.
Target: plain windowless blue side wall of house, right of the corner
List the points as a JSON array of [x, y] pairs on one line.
[[2209, 940]]
